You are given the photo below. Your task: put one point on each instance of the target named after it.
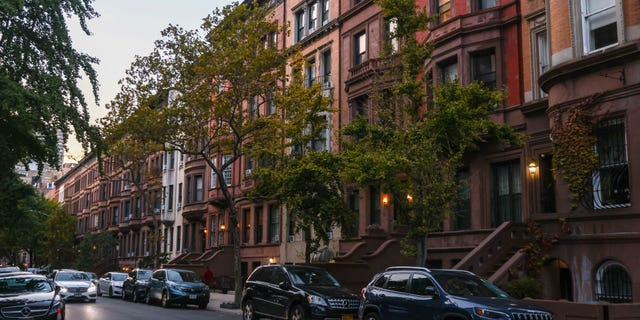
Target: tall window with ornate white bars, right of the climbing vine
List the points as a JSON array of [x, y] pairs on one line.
[[610, 180]]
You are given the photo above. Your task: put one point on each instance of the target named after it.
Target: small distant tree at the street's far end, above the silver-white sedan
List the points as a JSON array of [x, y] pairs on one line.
[[58, 238]]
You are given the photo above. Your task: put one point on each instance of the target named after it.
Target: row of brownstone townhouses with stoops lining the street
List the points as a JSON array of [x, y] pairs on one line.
[[550, 57]]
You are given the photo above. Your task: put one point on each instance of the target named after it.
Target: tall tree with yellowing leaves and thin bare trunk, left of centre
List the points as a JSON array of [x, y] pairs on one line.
[[226, 74]]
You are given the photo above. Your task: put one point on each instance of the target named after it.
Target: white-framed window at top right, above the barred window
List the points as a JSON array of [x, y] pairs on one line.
[[599, 24]]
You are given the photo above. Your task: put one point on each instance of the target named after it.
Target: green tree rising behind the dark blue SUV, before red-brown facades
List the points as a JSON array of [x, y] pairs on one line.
[[414, 153]]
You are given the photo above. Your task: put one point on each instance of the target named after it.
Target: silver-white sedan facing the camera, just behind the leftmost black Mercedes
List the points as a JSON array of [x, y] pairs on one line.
[[74, 285]]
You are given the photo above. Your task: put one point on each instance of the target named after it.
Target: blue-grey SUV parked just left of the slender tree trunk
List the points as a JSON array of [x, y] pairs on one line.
[[177, 286]]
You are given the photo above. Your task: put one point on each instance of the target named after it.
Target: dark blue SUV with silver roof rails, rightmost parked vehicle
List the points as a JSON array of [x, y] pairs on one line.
[[419, 293]]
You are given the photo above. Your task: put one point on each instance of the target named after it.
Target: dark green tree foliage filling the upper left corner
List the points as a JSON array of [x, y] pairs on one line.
[[39, 71]]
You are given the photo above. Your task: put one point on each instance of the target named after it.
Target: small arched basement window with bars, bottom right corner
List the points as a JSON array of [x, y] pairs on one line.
[[613, 283]]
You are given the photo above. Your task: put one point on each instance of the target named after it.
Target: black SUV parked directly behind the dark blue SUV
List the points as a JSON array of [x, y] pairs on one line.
[[296, 292]]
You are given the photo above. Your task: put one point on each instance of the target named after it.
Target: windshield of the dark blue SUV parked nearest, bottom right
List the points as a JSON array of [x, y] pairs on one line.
[[468, 286]]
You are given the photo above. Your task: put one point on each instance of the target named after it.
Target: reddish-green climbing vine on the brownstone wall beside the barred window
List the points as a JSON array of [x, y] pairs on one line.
[[573, 148]]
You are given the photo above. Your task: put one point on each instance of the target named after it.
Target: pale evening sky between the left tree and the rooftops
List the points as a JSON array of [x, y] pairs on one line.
[[127, 28]]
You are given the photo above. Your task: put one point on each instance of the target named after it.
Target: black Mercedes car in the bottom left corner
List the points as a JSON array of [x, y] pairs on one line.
[[26, 295]]
